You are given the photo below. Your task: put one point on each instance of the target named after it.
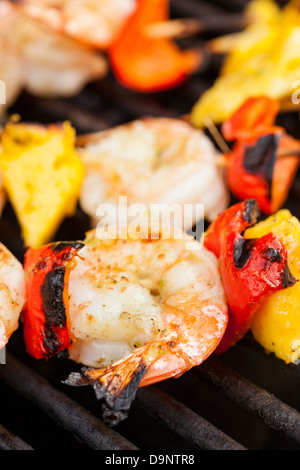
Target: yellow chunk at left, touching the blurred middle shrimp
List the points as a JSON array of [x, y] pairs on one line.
[[42, 176]]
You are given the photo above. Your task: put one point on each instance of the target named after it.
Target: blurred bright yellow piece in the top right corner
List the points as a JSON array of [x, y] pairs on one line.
[[264, 61]]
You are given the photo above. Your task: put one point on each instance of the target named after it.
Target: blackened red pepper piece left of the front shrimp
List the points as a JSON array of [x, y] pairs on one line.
[[45, 320]]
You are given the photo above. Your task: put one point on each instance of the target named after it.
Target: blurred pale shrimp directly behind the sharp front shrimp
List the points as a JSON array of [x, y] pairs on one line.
[[151, 161]]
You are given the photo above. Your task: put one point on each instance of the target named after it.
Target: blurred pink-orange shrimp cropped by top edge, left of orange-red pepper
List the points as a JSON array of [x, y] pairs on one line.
[[96, 22]]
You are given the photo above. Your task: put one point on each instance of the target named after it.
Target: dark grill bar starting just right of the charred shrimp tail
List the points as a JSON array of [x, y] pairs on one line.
[[183, 421]]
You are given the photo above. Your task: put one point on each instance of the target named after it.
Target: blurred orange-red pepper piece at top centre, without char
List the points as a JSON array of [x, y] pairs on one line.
[[148, 64]]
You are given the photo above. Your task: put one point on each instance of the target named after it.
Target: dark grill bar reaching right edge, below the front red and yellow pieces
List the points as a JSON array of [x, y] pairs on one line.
[[276, 414]]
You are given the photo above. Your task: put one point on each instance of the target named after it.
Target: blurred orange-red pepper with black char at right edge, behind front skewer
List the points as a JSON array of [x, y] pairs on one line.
[[254, 168]]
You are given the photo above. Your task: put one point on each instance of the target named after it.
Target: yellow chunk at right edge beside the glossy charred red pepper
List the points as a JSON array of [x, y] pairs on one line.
[[276, 324]]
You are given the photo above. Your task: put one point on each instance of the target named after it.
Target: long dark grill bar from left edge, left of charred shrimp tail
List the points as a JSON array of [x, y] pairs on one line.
[[62, 409]]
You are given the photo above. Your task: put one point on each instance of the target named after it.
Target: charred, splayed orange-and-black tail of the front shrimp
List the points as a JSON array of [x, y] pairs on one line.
[[115, 385]]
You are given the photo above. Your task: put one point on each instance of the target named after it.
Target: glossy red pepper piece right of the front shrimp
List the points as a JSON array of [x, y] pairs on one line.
[[250, 269]]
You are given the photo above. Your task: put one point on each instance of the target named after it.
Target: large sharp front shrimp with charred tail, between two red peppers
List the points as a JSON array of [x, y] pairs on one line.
[[142, 308]]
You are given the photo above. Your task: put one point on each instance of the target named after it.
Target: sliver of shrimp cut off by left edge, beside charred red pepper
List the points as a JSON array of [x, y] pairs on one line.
[[12, 294]]
